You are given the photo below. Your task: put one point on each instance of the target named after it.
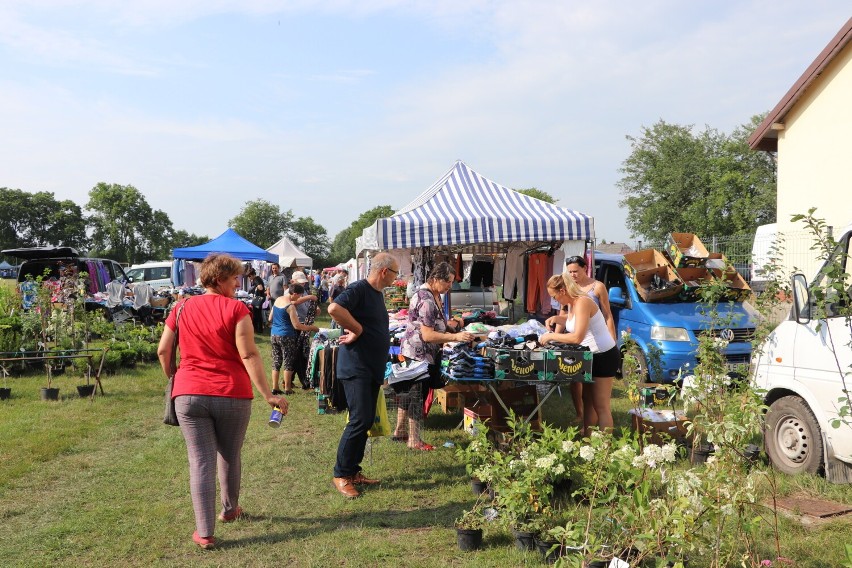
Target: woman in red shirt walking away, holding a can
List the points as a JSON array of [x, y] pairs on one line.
[[219, 362]]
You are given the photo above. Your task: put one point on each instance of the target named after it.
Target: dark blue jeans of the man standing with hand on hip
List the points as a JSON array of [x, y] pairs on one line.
[[361, 395]]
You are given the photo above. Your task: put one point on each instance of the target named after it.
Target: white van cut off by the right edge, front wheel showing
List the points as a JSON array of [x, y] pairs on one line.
[[805, 366]]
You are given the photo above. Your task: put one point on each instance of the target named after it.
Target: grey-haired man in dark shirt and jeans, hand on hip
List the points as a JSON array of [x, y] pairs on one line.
[[361, 360]]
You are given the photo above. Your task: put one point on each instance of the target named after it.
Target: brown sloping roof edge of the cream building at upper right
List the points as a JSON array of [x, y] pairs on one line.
[[765, 137]]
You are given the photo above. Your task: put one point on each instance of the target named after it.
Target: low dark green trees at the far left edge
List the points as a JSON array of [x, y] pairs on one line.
[[38, 219]]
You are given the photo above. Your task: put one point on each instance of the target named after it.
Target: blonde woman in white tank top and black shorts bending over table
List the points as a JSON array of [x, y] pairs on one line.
[[588, 327]]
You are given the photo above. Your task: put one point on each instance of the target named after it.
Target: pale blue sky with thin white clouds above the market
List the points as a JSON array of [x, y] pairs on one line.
[[330, 108]]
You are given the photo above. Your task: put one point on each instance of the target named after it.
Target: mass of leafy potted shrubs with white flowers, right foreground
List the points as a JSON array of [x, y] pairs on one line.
[[615, 495]]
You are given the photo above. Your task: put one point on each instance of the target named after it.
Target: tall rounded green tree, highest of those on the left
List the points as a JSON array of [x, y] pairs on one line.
[[124, 227]]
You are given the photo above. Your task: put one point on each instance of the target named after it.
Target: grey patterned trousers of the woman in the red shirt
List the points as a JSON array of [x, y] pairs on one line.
[[214, 429]]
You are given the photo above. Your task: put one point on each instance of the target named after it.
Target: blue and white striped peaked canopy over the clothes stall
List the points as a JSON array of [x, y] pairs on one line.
[[466, 208]]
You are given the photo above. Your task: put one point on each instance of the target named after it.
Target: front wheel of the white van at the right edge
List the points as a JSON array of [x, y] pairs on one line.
[[792, 437]]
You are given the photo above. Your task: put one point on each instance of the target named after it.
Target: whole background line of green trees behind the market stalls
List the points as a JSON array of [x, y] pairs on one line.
[[674, 179]]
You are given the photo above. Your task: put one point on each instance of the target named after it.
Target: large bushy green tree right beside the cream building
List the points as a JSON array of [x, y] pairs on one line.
[[709, 182]]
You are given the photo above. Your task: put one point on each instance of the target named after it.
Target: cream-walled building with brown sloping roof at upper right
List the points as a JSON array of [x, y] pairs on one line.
[[809, 131]]
